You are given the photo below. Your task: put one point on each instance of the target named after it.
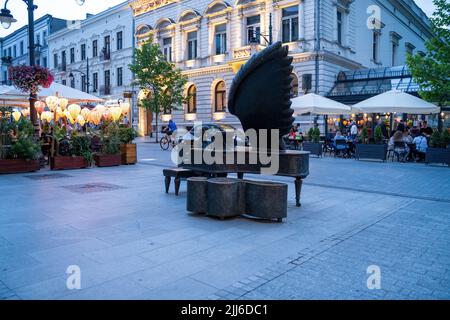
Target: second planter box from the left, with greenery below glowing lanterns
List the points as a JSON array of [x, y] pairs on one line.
[[71, 153]]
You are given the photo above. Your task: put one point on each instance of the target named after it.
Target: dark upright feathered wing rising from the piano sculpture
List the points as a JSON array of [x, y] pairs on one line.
[[260, 95]]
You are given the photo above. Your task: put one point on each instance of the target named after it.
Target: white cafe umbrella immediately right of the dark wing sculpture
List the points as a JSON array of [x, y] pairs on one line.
[[316, 104]]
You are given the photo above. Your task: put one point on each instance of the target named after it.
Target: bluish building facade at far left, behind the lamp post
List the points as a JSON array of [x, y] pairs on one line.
[[14, 47]]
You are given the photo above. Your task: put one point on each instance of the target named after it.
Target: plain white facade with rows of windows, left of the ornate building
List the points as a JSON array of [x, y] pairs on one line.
[[102, 42]]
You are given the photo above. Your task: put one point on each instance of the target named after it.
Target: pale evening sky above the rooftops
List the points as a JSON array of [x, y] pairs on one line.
[[70, 10]]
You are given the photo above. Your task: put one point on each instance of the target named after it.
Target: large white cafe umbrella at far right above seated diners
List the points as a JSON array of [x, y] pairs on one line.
[[396, 101]]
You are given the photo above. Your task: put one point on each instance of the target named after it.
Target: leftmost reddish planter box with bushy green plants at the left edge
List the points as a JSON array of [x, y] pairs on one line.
[[19, 151]]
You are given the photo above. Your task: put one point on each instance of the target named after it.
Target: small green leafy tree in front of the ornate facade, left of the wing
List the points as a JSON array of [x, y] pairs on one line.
[[160, 78]]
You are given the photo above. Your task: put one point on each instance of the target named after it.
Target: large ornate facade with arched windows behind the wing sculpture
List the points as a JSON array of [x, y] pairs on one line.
[[346, 40]]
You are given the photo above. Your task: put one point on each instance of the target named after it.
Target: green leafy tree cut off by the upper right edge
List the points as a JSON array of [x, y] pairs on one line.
[[432, 71]]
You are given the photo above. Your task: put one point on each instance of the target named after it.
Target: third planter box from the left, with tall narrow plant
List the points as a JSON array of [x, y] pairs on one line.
[[110, 147]]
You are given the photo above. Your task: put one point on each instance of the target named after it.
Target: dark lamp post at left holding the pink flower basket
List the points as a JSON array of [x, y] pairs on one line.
[[6, 19]]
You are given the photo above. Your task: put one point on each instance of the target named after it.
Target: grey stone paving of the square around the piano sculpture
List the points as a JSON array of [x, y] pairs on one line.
[[132, 241]]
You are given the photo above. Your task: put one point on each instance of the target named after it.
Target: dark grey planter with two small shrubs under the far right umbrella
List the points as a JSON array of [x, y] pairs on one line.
[[366, 150]]
